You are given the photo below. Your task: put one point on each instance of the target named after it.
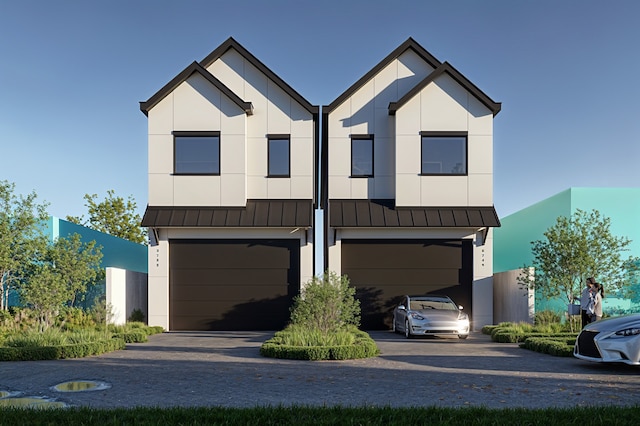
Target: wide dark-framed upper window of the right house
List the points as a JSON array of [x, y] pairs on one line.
[[444, 153]]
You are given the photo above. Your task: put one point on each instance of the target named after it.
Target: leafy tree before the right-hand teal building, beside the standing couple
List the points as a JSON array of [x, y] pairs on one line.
[[574, 249]]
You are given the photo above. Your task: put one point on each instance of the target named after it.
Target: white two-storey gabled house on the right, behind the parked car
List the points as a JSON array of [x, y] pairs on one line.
[[407, 185]]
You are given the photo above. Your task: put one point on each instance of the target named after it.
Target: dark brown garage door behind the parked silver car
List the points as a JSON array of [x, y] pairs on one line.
[[384, 270]]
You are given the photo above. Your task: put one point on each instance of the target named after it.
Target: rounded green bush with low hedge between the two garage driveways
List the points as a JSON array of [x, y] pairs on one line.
[[324, 324]]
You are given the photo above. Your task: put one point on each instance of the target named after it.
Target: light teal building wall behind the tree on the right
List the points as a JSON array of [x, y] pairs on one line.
[[512, 241]]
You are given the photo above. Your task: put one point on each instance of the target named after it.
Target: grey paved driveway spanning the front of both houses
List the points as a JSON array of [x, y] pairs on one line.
[[225, 369]]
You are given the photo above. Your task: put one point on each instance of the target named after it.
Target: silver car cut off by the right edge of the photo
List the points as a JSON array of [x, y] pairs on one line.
[[614, 339]]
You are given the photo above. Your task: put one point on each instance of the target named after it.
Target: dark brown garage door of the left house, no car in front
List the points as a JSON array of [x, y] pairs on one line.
[[232, 284]]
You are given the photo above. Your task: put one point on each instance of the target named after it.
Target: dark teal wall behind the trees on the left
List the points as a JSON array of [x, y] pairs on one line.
[[116, 252]]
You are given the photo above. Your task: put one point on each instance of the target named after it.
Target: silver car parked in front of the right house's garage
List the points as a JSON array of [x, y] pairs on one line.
[[429, 316]]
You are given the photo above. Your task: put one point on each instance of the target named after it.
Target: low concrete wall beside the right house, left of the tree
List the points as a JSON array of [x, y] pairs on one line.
[[512, 302]]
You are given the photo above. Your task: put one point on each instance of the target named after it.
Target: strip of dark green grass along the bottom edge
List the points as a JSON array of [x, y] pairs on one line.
[[579, 416]]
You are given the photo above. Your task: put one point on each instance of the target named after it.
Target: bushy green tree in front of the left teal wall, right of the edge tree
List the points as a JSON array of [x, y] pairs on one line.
[[64, 269]]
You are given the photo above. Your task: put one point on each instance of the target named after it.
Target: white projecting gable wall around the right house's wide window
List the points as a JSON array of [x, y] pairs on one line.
[[444, 106]]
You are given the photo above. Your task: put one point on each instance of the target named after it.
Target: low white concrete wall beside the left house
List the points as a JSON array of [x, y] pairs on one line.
[[126, 291]]
